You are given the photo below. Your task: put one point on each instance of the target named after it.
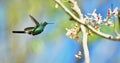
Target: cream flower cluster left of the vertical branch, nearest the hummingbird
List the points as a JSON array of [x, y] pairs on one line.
[[73, 32]]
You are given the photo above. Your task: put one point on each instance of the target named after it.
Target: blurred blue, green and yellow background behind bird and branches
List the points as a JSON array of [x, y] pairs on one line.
[[51, 46]]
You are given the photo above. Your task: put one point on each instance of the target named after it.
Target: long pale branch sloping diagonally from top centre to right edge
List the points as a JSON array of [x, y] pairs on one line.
[[107, 36]]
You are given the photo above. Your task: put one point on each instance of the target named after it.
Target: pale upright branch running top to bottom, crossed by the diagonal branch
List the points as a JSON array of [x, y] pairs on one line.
[[76, 8]]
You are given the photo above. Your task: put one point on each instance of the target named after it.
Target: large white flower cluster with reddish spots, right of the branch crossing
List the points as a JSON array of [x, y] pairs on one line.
[[96, 20]]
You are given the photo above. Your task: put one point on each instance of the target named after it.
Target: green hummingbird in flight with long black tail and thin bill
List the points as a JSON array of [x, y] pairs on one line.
[[37, 29]]
